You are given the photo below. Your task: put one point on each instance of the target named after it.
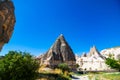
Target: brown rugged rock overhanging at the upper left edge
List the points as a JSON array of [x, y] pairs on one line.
[[7, 21]]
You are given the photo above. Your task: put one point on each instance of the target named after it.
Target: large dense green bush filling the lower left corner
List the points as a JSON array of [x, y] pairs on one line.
[[18, 66]]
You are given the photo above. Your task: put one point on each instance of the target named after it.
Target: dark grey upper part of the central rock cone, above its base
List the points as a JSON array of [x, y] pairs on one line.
[[61, 50]]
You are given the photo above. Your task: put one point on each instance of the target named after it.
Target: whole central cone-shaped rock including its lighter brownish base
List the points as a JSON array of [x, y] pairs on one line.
[[60, 52]]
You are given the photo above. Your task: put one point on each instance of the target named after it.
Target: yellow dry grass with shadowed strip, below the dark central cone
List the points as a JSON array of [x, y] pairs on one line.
[[52, 74]]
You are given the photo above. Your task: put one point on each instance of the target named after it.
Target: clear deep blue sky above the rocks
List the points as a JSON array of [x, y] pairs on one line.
[[83, 23]]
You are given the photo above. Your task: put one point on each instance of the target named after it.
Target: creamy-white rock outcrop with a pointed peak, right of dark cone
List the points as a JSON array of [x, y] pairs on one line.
[[94, 61]]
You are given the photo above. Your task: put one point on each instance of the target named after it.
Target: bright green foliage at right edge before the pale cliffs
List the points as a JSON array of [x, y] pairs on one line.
[[115, 64]]
